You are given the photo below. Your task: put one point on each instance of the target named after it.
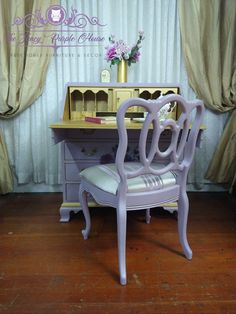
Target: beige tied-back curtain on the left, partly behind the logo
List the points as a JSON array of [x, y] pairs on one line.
[[23, 63]]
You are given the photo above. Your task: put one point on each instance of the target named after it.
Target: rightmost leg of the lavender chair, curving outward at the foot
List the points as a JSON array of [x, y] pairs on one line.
[[183, 207]]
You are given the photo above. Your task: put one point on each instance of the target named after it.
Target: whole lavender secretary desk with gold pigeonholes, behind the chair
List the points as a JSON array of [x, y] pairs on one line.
[[84, 144]]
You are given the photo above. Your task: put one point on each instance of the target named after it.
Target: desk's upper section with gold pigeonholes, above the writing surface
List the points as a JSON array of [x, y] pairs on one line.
[[104, 99]]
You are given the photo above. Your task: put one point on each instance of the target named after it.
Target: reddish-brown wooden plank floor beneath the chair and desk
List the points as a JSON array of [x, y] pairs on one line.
[[46, 266]]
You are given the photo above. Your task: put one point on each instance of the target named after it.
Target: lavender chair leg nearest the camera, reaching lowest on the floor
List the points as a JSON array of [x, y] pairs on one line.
[[121, 238]]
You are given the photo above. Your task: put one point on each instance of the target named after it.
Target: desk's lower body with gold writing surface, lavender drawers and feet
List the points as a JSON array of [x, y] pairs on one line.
[[84, 144]]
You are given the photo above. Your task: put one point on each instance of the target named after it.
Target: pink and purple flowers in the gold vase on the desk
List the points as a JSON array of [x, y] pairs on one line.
[[119, 50]]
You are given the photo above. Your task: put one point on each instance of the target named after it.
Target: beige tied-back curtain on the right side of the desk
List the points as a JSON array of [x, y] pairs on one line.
[[208, 33]]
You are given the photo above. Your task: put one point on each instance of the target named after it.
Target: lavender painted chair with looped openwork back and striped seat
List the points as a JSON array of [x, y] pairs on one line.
[[160, 175]]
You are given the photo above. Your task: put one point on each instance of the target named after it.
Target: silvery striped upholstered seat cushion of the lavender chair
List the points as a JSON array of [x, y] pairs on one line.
[[106, 178]]
